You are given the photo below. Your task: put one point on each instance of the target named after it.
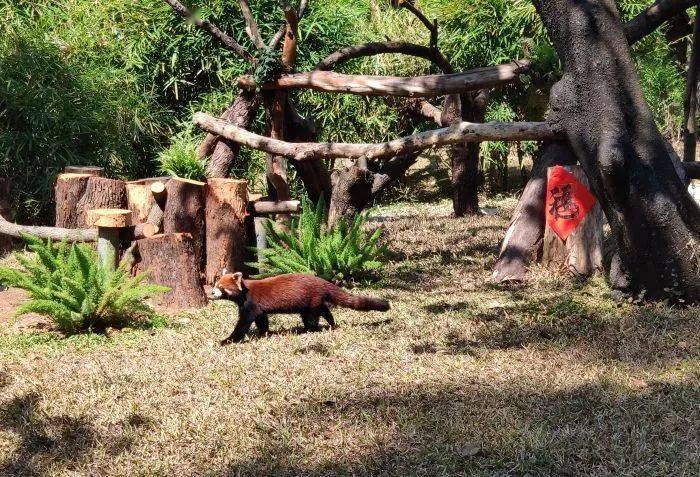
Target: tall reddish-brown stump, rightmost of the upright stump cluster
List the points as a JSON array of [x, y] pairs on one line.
[[226, 204]]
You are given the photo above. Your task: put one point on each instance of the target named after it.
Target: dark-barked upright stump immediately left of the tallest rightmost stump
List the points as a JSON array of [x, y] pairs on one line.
[[185, 211]]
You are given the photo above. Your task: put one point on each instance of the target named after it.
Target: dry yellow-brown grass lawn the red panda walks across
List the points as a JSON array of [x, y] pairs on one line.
[[460, 377]]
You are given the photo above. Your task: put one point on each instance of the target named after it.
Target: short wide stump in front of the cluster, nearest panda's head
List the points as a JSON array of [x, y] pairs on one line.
[[172, 262]]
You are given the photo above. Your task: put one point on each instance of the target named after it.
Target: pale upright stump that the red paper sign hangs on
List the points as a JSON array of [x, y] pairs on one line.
[[581, 253]]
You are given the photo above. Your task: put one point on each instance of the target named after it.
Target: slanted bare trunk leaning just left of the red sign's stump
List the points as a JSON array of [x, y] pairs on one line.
[[523, 238]]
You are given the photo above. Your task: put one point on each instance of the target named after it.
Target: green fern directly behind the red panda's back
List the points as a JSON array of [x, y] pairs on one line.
[[344, 254]]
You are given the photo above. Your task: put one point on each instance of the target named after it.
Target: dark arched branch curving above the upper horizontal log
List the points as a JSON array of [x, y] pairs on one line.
[[377, 48]]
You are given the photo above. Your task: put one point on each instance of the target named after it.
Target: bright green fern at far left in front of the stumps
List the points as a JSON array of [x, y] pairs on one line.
[[69, 285]]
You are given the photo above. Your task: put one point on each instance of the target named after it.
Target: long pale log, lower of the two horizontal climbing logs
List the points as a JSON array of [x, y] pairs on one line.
[[304, 151]]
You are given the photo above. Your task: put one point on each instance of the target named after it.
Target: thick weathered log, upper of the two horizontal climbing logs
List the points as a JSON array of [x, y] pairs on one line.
[[415, 86]]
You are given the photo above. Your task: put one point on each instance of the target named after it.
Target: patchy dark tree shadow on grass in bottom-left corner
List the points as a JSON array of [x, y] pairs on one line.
[[48, 443]]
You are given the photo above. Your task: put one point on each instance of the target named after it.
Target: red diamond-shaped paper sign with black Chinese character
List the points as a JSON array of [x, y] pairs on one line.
[[568, 201]]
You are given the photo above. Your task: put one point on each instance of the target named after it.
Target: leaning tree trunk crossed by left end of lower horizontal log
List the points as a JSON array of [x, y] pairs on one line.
[[222, 151]]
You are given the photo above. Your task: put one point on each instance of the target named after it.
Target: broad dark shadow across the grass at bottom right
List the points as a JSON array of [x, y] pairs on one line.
[[487, 428]]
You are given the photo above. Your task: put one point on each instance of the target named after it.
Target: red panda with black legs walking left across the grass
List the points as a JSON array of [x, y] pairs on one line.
[[292, 293]]
